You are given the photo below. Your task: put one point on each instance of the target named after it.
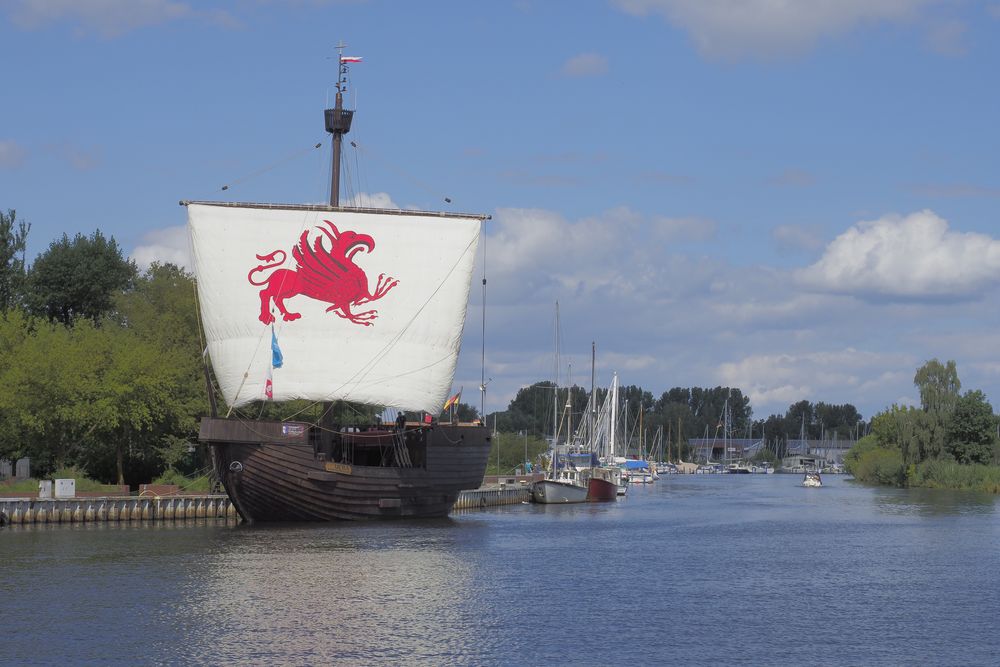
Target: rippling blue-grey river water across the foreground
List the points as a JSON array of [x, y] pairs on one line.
[[691, 570]]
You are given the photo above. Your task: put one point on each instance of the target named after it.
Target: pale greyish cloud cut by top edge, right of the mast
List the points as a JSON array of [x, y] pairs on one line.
[[729, 29]]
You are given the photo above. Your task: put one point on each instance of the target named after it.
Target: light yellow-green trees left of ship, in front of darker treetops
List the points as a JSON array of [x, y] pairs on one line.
[[119, 400]]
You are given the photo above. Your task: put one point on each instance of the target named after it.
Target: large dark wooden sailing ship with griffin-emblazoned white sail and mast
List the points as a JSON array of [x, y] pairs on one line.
[[329, 303]]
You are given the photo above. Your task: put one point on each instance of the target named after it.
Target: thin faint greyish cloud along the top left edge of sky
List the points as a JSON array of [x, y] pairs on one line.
[[108, 18]]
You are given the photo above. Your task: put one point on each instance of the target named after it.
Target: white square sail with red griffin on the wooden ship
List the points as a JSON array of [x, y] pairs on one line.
[[365, 306]]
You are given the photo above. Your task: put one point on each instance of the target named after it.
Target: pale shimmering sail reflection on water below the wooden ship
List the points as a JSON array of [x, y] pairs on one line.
[[353, 594]]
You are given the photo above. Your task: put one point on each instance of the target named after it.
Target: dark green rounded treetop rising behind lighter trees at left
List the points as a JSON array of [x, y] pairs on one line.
[[78, 278]]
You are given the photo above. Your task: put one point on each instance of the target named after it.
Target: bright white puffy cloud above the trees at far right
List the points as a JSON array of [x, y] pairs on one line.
[[910, 257]]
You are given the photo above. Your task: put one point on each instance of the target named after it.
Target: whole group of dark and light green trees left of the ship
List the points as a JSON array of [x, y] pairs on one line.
[[102, 366]]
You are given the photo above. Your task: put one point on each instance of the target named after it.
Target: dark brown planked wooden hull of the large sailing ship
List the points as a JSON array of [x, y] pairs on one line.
[[276, 471]]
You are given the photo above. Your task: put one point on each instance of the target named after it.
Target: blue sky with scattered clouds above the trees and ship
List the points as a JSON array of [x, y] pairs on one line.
[[798, 198]]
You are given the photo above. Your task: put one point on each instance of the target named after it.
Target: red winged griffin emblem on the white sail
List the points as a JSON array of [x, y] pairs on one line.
[[325, 275]]
